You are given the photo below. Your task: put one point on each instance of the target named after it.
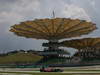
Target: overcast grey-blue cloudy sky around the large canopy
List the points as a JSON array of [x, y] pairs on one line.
[[15, 11]]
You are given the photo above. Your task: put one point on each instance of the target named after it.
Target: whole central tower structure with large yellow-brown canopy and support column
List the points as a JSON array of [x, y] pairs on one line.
[[53, 30]]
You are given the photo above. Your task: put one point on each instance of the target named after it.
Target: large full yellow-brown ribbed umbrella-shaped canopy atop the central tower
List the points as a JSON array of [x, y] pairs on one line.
[[53, 29]]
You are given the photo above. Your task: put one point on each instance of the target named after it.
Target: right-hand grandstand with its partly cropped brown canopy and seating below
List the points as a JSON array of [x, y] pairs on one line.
[[88, 48]]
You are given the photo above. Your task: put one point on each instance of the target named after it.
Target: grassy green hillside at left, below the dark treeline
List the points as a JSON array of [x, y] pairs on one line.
[[19, 58]]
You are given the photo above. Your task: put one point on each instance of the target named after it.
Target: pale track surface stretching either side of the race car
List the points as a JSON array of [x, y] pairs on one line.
[[71, 70]]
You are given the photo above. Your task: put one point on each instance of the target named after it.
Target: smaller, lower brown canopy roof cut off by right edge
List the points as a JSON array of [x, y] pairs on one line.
[[82, 43]]
